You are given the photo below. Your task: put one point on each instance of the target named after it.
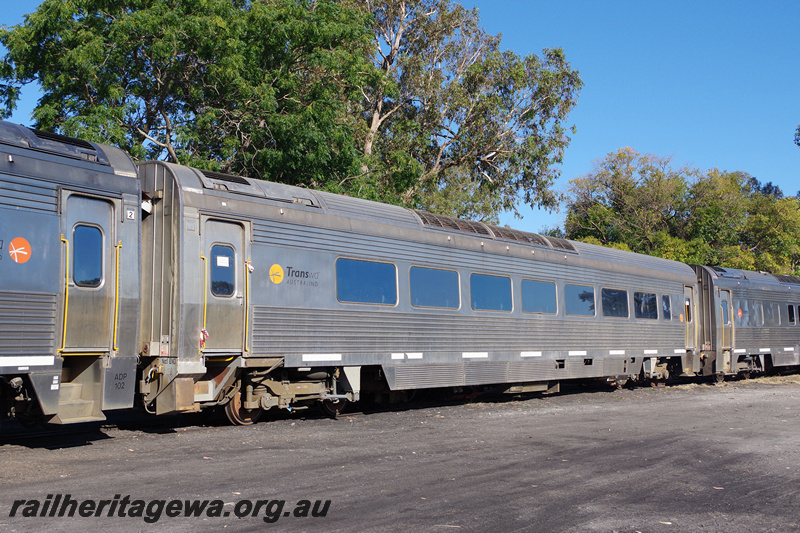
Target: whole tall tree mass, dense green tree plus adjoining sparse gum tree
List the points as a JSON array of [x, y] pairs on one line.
[[407, 102]]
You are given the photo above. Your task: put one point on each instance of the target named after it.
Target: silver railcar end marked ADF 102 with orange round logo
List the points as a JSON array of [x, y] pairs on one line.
[[69, 276]]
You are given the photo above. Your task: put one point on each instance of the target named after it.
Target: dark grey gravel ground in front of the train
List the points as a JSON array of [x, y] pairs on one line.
[[696, 457]]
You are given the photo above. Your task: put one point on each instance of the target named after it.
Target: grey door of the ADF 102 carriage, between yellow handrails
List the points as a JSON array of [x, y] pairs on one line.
[[90, 271]]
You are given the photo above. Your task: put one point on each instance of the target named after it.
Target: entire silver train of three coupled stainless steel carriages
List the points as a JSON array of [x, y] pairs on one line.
[[184, 289]]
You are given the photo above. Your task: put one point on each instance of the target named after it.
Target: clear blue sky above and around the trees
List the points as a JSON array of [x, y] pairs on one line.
[[711, 83]]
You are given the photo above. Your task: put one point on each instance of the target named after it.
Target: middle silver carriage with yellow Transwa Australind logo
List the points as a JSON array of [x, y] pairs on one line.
[[260, 295]]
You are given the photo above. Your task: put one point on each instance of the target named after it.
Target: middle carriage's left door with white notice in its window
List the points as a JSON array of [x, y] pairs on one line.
[[225, 294]]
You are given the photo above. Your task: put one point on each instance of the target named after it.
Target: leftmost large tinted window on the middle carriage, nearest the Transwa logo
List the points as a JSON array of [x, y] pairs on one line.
[[366, 282]]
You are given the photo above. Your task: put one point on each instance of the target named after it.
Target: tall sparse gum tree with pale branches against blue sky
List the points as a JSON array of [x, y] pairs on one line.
[[484, 128]]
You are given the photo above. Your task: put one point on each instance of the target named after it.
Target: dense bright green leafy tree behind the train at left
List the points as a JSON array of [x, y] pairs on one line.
[[258, 87]]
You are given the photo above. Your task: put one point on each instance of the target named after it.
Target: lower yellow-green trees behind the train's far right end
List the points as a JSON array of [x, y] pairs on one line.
[[713, 218]]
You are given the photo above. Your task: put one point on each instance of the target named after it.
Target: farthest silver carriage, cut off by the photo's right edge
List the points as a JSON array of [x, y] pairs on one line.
[[749, 320]]
